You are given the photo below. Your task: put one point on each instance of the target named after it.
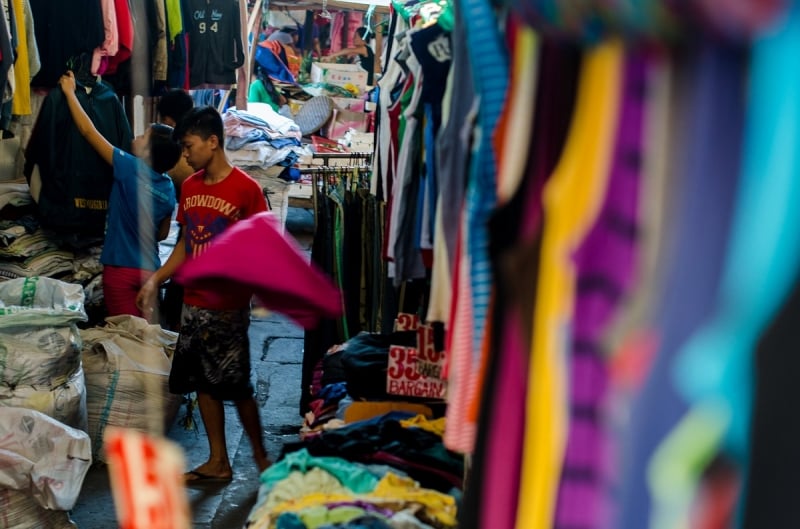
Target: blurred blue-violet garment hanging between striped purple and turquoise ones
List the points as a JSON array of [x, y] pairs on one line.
[[709, 123]]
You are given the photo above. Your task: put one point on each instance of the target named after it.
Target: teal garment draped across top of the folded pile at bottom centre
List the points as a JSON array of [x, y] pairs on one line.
[[353, 476]]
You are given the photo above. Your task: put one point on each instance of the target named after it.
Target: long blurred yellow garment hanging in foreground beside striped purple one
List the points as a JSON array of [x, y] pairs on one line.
[[572, 199]]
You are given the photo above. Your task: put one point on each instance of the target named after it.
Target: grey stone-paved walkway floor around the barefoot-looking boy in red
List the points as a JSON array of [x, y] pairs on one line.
[[277, 355]]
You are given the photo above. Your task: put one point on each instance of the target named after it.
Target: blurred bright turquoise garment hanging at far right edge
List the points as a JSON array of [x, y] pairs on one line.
[[716, 367]]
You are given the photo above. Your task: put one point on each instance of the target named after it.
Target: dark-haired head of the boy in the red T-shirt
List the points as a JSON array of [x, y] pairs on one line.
[[201, 136]]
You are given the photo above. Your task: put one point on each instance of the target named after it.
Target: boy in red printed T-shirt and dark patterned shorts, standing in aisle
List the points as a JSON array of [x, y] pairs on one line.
[[212, 357]]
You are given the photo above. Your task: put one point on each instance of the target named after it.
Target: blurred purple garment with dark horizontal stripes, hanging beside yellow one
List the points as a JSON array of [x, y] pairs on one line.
[[604, 263]]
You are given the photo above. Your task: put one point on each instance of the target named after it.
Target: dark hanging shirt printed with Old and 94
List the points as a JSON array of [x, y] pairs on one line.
[[215, 42]]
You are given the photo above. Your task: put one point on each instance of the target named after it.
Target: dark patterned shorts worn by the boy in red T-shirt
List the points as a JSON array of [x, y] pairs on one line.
[[213, 354]]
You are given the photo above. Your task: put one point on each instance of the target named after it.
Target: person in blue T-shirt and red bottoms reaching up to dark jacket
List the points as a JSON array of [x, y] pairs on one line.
[[140, 206]]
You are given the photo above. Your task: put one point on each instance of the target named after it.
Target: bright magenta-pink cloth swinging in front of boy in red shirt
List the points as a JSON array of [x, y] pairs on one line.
[[253, 256]]
